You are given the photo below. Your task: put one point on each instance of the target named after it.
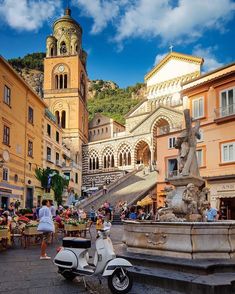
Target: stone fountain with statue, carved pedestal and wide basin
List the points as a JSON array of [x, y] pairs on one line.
[[182, 230]]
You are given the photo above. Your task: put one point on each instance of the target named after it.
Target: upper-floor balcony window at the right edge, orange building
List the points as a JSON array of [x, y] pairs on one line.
[[227, 102]]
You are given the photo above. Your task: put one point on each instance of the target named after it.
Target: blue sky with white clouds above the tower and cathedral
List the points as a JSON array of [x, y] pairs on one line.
[[125, 38]]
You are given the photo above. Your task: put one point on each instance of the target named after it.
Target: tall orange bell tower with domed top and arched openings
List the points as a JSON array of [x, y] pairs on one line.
[[65, 81]]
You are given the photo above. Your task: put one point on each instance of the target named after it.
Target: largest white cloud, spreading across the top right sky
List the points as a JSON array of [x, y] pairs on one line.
[[181, 23]]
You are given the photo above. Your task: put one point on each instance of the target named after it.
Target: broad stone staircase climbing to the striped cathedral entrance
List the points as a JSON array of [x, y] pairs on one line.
[[131, 188]]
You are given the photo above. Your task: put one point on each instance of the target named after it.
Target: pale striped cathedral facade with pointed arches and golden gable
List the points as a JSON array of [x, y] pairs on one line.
[[159, 114]]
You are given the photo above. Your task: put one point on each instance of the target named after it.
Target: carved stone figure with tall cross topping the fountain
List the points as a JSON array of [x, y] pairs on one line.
[[186, 143]]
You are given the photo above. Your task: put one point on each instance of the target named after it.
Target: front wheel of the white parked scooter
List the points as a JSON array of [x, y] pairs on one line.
[[120, 282]]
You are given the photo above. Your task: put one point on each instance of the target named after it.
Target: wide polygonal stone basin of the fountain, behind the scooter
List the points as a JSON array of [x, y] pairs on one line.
[[191, 240]]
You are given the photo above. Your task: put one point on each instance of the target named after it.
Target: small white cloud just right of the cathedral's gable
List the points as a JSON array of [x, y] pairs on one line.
[[210, 60]]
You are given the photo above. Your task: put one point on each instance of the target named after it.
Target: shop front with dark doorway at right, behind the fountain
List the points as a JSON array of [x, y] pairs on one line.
[[222, 196]]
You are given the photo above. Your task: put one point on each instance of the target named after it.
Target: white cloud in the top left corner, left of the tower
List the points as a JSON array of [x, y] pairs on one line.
[[28, 15]]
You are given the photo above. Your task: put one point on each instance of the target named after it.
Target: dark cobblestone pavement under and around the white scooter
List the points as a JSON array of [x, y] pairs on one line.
[[22, 272]]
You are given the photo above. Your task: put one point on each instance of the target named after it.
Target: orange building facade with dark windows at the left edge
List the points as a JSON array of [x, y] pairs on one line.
[[21, 138]]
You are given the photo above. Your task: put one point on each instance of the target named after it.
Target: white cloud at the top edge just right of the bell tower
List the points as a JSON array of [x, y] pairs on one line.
[[102, 11]]
